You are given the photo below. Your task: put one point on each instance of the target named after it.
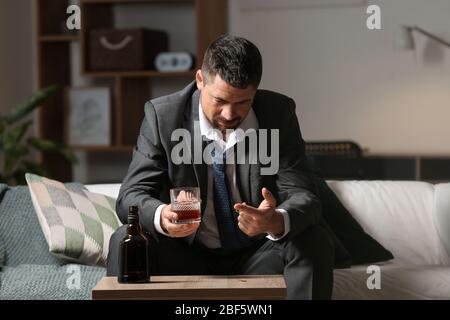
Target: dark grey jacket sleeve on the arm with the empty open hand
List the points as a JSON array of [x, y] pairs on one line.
[[297, 189]]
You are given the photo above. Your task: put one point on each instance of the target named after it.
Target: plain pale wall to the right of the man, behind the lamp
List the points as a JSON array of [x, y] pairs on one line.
[[353, 83]]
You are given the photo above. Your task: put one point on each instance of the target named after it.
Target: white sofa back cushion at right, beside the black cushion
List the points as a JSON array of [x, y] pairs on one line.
[[399, 214]]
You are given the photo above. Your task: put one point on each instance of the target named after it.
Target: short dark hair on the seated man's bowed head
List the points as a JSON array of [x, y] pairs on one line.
[[236, 60]]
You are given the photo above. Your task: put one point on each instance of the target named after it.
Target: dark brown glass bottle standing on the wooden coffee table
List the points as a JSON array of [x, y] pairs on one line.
[[133, 257]]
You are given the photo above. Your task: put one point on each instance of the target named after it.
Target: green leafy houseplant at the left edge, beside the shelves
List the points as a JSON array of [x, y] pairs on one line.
[[15, 148]]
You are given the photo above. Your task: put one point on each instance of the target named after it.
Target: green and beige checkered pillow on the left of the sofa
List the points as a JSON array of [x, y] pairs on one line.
[[77, 224]]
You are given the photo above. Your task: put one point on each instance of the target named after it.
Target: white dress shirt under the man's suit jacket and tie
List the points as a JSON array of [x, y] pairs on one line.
[[207, 233]]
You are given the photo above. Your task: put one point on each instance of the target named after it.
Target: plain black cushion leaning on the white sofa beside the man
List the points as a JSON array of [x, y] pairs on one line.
[[362, 247]]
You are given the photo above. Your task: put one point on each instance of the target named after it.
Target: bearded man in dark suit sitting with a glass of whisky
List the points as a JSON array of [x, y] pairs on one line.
[[251, 223]]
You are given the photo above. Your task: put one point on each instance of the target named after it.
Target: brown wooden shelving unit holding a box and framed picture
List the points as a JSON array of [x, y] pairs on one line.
[[130, 89]]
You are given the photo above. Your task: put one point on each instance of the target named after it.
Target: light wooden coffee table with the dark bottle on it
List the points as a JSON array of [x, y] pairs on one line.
[[194, 288]]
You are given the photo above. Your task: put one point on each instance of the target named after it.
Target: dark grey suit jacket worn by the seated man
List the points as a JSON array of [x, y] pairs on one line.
[[151, 173]]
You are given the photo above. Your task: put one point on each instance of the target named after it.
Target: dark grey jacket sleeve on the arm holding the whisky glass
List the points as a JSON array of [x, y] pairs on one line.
[[146, 176]]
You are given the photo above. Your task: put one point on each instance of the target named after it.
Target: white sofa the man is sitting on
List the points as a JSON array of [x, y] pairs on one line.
[[411, 219]]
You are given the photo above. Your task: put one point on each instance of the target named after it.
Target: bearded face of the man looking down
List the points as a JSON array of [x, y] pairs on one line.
[[224, 105]]
